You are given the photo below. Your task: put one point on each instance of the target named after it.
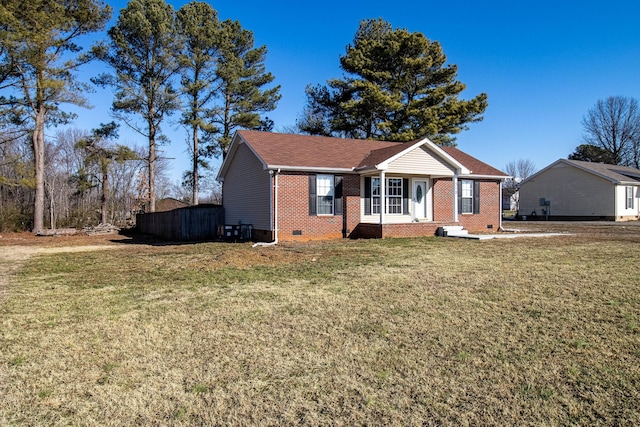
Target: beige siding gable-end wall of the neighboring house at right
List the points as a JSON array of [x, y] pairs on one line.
[[571, 191]]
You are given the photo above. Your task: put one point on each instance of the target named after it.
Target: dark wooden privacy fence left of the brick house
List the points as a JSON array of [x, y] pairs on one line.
[[184, 224]]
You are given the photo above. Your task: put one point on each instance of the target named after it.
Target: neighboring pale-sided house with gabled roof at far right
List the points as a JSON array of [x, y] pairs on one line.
[[573, 189]]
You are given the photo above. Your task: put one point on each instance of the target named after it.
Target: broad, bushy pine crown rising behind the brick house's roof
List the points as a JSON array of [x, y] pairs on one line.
[[397, 87]]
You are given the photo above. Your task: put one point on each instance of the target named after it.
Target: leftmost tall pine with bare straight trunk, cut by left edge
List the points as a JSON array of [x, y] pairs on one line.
[[38, 61]]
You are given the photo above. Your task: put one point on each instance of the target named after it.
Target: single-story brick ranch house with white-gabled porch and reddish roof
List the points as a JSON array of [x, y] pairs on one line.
[[298, 187]]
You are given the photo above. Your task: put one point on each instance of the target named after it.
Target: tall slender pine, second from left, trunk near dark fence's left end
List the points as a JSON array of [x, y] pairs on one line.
[[144, 51]]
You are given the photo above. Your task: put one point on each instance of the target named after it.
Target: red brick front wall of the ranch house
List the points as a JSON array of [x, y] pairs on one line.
[[295, 223]]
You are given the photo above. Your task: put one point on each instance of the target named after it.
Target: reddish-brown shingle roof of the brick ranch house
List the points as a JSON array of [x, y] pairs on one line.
[[304, 151]]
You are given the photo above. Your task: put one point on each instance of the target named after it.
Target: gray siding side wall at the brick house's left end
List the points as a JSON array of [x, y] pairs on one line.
[[246, 192]]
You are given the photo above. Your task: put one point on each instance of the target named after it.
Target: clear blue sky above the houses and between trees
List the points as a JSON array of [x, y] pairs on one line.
[[543, 64]]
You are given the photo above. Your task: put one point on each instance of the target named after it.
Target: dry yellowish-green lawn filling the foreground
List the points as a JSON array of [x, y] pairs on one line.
[[405, 332]]
